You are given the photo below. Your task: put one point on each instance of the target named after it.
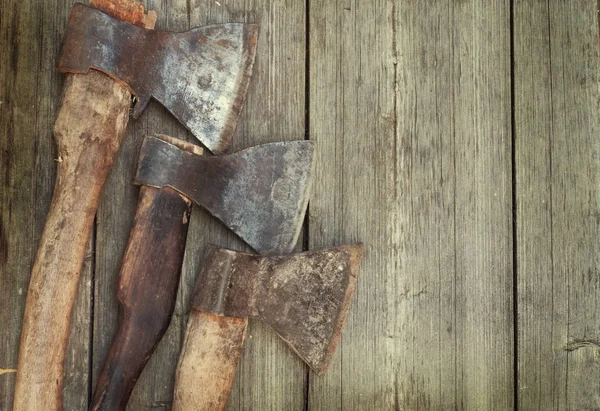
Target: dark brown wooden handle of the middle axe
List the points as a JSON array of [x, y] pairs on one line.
[[147, 290]]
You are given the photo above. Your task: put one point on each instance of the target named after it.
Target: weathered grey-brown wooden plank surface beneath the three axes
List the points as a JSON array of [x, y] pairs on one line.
[[459, 140]]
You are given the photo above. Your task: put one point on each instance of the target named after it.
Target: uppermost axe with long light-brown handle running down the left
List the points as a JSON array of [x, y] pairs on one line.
[[198, 75]]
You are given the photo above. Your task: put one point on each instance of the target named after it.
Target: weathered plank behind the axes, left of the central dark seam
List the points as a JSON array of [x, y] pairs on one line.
[[270, 376]]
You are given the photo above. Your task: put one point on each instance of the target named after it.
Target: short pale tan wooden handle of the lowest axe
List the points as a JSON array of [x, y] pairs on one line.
[[208, 361]]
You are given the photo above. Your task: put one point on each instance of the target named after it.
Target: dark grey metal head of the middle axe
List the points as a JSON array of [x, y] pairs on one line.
[[260, 193]]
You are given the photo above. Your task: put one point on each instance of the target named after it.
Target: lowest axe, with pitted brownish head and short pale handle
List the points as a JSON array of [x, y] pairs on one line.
[[304, 297]]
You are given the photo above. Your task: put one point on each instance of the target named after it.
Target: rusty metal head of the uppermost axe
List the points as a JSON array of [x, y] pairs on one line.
[[200, 76]]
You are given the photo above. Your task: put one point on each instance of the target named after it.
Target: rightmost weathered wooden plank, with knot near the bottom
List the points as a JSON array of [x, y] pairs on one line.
[[558, 204]]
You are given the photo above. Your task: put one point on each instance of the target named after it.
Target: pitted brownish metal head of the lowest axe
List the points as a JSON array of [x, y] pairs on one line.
[[304, 297]]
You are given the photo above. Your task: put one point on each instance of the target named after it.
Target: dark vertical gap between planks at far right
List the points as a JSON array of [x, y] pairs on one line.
[[514, 217]]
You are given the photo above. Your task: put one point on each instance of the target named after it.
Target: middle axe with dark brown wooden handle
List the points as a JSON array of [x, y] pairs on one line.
[[260, 193]]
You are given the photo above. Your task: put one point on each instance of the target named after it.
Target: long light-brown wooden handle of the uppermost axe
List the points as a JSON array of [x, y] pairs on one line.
[[88, 131]]
